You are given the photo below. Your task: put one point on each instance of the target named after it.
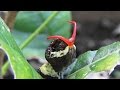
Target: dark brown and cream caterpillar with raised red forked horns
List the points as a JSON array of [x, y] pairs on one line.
[[61, 53]]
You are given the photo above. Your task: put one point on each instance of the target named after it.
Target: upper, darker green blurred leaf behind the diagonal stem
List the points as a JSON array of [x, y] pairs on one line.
[[28, 21]]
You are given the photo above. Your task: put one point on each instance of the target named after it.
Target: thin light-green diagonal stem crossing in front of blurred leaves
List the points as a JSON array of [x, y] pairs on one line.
[[31, 37]]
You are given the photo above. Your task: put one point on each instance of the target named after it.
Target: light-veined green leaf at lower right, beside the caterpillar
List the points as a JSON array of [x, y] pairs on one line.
[[105, 59]]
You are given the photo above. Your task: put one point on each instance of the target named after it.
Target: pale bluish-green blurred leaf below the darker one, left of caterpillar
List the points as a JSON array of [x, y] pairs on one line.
[[37, 46]]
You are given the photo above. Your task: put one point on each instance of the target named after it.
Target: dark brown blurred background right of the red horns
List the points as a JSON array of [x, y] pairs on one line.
[[96, 28]]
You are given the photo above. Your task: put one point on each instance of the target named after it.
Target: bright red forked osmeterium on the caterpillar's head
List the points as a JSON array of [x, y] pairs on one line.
[[70, 41]]
